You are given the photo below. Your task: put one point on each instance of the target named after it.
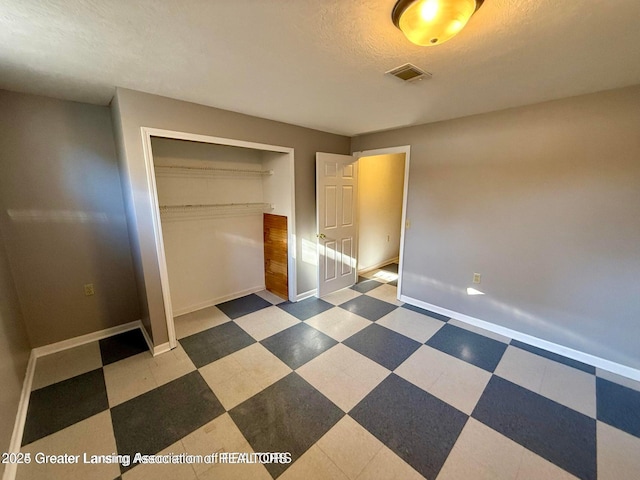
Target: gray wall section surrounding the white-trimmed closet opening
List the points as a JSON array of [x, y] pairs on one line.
[[132, 110]]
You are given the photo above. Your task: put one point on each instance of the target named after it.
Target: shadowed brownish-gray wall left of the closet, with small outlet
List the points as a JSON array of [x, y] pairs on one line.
[[62, 217]]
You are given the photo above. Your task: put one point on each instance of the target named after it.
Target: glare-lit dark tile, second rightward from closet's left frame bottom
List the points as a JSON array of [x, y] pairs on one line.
[[296, 345]]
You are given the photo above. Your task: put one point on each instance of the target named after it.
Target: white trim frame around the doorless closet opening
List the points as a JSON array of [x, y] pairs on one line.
[[147, 133]]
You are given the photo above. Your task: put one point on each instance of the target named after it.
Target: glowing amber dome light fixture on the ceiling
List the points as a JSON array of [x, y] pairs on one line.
[[432, 22]]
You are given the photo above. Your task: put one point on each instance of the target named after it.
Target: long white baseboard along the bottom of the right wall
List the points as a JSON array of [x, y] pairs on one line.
[[583, 357]]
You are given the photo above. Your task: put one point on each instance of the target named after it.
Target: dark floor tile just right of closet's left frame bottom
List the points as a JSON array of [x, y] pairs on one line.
[[217, 342]]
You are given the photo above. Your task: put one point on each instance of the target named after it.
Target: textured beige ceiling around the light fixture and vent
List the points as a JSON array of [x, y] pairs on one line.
[[317, 63]]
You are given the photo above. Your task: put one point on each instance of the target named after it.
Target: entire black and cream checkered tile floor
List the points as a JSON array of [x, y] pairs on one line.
[[354, 386]]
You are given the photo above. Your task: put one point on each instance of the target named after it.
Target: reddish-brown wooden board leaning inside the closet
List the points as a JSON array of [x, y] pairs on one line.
[[275, 255]]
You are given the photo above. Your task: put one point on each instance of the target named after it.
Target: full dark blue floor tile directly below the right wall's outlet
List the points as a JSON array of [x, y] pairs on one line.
[[475, 349]]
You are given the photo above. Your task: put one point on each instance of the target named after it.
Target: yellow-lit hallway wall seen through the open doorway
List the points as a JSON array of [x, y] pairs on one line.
[[380, 185]]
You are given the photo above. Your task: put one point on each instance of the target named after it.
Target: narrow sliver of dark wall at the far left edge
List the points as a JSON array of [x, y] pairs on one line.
[[14, 353]]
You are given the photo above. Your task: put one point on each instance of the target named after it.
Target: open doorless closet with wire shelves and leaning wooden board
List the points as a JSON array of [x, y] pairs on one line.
[[224, 222]]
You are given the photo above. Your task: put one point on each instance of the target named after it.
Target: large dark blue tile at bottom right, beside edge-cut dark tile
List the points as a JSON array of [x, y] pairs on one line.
[[559, 434]]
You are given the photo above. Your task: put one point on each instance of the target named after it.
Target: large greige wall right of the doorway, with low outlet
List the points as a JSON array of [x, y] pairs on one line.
[[544, 202]]
